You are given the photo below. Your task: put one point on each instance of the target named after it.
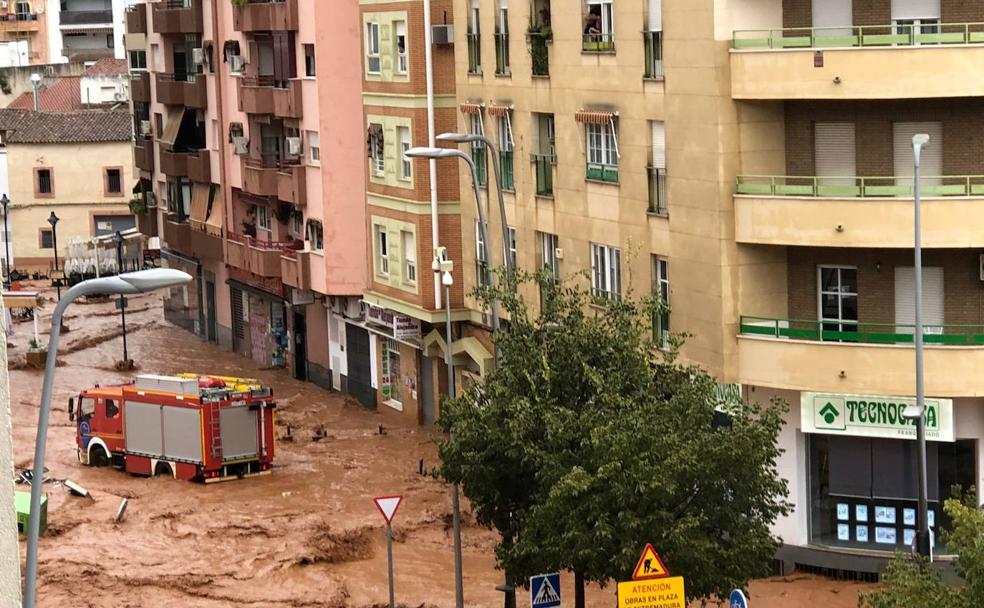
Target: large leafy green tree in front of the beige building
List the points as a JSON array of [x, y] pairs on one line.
[[587, 441]]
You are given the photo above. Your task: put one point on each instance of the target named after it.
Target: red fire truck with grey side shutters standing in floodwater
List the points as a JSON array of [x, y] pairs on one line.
[[207, 428]]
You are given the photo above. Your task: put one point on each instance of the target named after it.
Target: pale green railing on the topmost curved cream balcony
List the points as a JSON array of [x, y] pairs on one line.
[[860, 36]]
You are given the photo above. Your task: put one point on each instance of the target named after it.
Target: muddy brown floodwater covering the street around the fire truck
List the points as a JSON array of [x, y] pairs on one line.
[[308, 535]]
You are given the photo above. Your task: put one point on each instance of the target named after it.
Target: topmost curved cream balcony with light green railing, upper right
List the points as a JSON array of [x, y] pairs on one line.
[[868, 62]]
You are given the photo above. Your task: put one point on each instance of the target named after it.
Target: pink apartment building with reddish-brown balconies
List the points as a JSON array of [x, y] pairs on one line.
[[229, 110]]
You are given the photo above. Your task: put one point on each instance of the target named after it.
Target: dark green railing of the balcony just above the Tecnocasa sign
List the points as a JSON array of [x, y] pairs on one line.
[[860, 333]]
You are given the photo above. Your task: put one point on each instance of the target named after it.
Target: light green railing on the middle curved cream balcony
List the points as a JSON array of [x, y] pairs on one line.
[[858, 187]]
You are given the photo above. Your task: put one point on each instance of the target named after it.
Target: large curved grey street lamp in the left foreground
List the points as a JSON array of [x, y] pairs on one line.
[[132, 283]]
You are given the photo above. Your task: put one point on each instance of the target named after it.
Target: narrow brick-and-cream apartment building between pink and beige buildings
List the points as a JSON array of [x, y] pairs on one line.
[[402, 326]]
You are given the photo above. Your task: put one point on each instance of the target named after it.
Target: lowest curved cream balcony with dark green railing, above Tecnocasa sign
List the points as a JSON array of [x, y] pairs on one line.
[[869, 359]]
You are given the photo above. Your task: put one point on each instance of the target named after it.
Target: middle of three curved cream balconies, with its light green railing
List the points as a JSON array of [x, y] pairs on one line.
[[858, 211]]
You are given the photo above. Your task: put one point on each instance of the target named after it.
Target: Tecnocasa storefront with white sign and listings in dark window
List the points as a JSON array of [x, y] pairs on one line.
[[862, 469]]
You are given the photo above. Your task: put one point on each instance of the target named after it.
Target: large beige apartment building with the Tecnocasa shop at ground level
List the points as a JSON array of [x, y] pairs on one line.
[[751, 160]]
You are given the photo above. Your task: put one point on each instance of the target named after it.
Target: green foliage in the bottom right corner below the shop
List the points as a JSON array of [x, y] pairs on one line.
[[913, 581]]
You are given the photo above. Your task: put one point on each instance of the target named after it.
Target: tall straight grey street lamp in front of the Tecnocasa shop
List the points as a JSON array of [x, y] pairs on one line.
[[917, 412]]
